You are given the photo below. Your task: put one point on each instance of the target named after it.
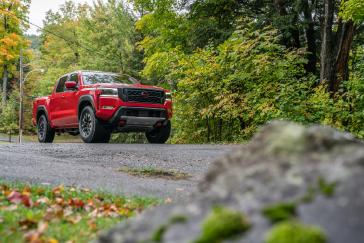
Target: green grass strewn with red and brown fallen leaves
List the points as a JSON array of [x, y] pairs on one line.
[[33, 213]]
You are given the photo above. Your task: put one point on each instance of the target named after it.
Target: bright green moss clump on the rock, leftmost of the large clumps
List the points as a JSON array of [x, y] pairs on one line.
[[222, 223]]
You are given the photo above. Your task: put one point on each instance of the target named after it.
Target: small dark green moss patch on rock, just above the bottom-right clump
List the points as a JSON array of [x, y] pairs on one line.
[[280, 212]]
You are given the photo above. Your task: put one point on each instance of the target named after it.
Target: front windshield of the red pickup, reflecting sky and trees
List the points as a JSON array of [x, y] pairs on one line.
[[109, 78]]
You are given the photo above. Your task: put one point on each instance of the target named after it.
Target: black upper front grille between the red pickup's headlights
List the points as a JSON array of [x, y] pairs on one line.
[[142, 95]]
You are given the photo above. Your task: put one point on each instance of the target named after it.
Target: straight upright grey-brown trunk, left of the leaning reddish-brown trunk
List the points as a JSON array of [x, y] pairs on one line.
[[327, 72]]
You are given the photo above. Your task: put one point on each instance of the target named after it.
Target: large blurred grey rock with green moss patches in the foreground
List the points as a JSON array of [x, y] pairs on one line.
[[291, 184]]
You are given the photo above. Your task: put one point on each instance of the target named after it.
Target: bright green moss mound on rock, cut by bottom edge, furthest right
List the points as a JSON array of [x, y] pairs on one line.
[[293, 232]]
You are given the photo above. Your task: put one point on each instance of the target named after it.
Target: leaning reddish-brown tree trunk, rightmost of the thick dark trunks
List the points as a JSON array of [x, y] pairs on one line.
[[342, 59]]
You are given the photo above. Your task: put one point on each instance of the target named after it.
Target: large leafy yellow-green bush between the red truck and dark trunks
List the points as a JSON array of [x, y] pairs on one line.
[[225, 94]]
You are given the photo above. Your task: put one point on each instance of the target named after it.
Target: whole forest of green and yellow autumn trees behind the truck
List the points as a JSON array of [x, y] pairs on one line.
[[232, 65]]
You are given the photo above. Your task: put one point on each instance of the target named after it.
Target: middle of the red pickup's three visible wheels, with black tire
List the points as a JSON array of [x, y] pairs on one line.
[[91, 129]]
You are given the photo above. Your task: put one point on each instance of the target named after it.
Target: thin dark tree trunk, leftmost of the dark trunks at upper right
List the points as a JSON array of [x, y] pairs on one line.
[[310, 39]]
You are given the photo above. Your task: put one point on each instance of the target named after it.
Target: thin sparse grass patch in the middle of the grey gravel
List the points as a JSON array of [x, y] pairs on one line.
[[155, 173]]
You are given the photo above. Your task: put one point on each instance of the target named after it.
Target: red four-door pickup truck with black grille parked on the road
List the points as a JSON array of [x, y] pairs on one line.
[[96, 104]]
